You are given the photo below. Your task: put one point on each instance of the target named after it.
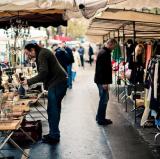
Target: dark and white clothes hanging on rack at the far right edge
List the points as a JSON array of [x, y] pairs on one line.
[[152, 81]]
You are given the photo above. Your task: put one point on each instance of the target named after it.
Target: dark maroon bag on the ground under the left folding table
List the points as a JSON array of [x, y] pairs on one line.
[[32, 128]]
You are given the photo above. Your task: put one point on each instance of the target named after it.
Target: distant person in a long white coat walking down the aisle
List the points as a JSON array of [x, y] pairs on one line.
[[76, 63]]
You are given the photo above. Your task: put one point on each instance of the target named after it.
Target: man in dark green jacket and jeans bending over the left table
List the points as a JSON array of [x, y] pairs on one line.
[[54, 77]]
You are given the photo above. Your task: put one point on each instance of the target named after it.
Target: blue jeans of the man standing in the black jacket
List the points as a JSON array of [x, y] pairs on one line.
[[104, 97]]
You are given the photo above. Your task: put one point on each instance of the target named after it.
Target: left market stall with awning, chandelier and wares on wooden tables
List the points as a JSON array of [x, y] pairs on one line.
[[19, 16]]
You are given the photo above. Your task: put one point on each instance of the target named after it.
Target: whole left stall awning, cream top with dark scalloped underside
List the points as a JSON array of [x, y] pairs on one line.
[[48, 12]]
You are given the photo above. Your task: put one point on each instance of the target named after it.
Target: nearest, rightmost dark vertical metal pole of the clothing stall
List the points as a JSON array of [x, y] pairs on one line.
[[134, 69]]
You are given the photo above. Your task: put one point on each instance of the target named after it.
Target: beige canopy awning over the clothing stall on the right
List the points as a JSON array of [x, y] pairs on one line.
[[112, 20]]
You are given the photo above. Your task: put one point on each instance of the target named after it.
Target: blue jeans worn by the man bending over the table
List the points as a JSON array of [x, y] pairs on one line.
[[55, 96]]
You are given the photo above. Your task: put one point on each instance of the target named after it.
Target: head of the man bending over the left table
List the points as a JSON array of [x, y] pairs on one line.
[[31, 50]]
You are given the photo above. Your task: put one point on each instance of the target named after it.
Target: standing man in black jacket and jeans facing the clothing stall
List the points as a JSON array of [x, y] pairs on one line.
[[103, 77]]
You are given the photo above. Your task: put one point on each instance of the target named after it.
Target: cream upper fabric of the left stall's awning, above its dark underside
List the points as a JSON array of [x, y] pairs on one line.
[[89, 7]]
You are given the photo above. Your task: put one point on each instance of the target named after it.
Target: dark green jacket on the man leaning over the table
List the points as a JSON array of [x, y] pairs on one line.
[[50, 72]]
